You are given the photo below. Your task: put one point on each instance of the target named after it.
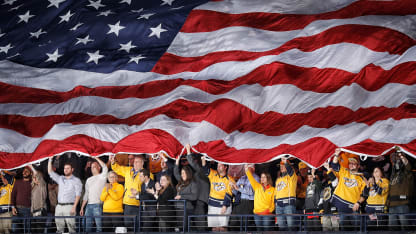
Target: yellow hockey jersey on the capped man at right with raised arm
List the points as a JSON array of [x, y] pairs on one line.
[[349, 190]]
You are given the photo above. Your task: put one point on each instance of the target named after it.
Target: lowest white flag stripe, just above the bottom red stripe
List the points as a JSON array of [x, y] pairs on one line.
[[389, 131]]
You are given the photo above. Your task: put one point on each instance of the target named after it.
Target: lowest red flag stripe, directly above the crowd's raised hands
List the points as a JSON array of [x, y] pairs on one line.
[[153, 141]]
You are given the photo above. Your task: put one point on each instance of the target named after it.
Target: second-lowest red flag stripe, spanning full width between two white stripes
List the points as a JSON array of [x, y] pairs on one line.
[[238, 118]]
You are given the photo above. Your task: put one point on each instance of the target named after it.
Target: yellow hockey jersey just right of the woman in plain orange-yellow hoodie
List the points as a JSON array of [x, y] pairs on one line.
[[286, 188]]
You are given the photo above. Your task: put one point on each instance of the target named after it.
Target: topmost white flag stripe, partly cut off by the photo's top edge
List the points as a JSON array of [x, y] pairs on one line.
[[273, 6]]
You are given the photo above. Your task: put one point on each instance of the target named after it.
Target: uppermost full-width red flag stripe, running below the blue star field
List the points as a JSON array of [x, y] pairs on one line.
[[326, 80]]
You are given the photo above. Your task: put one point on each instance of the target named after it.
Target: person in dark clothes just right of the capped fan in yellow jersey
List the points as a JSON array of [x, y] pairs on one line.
[[313, 193]]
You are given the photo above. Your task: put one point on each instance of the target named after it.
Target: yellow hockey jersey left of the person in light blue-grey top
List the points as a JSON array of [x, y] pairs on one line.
[[220, 190]]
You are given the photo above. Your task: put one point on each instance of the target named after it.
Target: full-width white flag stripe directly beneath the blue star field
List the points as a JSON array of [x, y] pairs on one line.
[[332, 56]]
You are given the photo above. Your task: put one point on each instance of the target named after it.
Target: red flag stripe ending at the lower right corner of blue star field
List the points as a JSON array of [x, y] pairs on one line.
[[373, 37]]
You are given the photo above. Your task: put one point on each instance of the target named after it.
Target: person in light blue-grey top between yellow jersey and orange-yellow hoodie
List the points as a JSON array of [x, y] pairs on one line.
[[244, 198]]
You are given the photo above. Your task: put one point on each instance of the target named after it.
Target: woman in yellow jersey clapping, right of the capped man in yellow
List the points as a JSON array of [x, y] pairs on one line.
[[377, 189]]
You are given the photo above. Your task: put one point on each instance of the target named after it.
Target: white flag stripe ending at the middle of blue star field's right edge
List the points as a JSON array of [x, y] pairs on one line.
[[258, 40]]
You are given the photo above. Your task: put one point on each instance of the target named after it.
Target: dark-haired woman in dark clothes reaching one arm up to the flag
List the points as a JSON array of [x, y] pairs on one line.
[[187, 190]]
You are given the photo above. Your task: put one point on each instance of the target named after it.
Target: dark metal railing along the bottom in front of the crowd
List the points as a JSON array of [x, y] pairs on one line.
[[174, 218]]
